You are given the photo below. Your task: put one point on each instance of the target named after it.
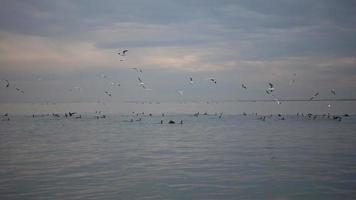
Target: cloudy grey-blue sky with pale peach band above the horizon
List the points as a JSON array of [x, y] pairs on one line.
[[49, 49]]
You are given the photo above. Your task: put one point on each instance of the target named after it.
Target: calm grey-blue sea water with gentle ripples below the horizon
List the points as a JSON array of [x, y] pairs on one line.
[[235, 157]]
